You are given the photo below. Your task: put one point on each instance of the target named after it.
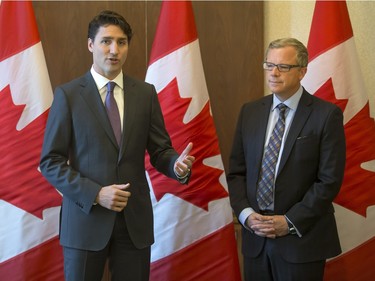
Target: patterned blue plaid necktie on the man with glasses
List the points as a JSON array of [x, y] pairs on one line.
[[267, 174]]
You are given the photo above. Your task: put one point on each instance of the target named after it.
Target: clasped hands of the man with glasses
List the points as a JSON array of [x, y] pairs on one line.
[[268, 226]]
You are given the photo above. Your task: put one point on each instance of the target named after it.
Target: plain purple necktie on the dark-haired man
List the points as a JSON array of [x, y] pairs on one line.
[[112, 111]]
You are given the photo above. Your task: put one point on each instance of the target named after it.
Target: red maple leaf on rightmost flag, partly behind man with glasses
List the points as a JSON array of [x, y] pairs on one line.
[[358, 189]]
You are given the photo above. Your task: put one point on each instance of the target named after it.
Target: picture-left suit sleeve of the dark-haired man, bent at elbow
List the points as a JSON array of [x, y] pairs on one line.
[[55, 154]]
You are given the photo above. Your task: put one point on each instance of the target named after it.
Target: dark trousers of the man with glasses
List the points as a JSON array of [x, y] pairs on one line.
[[270, 266]]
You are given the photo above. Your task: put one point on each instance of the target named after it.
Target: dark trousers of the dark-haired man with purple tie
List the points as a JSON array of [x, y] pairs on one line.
[[126, 262]]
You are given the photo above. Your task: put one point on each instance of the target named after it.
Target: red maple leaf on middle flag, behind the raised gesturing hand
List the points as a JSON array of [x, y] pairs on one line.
[[204, 185]]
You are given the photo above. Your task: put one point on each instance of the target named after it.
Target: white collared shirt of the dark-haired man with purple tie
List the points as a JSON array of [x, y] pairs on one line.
[[118, 92]]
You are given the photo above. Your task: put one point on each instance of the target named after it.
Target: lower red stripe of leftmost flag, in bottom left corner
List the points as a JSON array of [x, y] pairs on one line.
[[33, 265]]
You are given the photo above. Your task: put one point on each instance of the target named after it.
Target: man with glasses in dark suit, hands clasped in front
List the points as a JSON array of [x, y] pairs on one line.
[[289, 230]]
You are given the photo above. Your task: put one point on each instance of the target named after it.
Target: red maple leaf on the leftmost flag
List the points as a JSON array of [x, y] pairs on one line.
[[21, 184]]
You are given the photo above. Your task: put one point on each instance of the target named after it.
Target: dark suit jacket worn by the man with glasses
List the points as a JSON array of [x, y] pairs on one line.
[[309, 176]]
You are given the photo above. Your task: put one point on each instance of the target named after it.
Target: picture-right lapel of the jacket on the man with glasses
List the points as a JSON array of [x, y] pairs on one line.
[[302, 114]]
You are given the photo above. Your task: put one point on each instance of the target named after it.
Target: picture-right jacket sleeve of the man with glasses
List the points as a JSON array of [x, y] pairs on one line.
[[318, 199]]
